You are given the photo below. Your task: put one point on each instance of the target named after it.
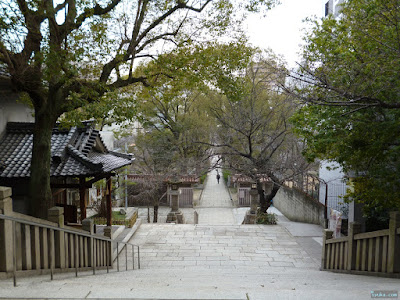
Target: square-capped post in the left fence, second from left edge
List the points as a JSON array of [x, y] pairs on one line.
[[56, 215]]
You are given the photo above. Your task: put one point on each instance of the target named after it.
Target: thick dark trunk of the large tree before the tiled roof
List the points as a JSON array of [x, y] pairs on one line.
[[40, 191]]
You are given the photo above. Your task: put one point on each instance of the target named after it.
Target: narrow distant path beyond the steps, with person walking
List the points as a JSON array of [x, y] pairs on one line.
[[215, 203]]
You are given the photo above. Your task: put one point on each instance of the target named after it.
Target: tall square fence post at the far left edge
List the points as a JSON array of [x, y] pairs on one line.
[[6, 233]]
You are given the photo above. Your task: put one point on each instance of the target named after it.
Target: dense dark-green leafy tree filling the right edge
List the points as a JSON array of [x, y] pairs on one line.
[[349, 84]]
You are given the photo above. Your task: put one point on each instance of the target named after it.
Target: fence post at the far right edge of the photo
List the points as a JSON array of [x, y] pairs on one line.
[[394, 243]]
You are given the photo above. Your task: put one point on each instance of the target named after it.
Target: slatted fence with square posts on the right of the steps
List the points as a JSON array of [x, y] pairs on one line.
[[375, 252]]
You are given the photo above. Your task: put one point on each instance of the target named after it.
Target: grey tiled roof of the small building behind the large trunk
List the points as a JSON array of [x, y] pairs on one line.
[[74, 152]]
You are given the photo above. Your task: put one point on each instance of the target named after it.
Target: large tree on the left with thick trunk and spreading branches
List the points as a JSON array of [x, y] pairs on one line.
[[67, 54]]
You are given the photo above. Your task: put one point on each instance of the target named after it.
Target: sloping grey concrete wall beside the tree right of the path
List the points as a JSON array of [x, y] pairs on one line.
[[296, 206]]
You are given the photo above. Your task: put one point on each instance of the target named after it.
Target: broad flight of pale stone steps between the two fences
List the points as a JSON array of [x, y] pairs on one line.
[[219, 247]]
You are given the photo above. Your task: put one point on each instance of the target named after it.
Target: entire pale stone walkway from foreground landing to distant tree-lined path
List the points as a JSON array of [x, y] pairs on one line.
[[215, 259]]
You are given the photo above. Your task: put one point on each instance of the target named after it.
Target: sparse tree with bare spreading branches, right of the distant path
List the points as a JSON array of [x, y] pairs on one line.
[[254, 135]]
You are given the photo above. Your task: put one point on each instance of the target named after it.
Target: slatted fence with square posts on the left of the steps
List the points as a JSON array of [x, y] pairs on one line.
[[31, 244]]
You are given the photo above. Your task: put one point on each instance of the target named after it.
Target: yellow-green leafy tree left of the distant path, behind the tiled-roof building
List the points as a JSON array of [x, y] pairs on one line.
[[172, 110]]
